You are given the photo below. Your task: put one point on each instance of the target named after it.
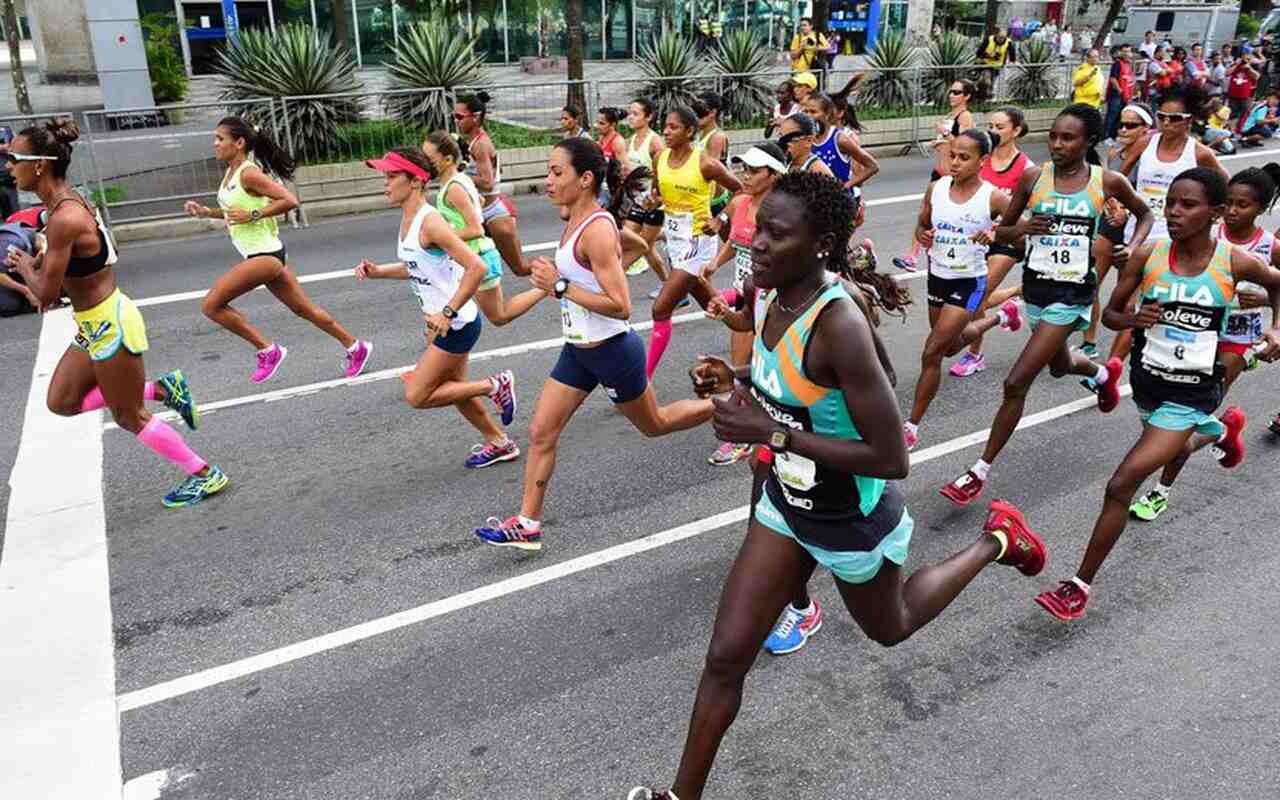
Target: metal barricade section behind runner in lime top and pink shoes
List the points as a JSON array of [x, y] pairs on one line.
[[148, 162]]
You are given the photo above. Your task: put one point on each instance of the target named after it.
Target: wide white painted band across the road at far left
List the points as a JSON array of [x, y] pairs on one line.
[[58, 716]]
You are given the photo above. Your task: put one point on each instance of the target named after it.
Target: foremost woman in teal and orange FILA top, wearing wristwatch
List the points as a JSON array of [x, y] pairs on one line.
[[825, 499]]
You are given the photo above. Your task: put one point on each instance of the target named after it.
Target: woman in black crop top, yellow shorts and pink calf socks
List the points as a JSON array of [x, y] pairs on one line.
[[103, 367]]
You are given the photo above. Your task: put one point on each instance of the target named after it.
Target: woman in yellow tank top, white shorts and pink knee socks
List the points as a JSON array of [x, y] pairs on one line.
[[685, 177]]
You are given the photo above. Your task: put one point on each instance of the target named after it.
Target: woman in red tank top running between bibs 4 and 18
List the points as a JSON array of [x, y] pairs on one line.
[[1003, 170]]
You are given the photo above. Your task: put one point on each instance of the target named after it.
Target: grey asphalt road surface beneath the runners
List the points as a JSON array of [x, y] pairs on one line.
[[348, 508]]
